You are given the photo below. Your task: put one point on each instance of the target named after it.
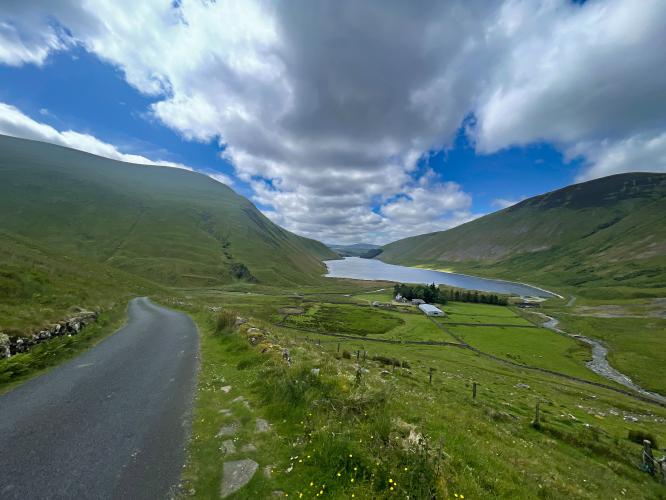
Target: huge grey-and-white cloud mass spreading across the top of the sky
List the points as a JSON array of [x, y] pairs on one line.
[[325, 108]]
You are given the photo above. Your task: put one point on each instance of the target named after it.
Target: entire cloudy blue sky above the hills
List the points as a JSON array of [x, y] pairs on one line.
[[348, 121]]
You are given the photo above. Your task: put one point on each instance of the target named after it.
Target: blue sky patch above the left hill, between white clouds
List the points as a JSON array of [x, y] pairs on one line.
[[74, 90]]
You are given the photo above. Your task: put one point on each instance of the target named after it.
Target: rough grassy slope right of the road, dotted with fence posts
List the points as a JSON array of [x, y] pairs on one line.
[[329, 434]]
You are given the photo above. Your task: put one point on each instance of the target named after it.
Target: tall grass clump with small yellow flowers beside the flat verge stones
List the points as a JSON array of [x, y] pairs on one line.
[[350, 433]]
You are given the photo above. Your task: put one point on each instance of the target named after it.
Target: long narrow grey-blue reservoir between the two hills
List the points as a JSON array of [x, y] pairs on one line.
[[372, 269]]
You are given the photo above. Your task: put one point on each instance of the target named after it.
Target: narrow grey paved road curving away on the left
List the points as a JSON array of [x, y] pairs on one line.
[[110, 423]]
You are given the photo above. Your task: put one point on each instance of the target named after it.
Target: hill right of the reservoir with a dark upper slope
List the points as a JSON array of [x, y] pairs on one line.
[[608, 232]]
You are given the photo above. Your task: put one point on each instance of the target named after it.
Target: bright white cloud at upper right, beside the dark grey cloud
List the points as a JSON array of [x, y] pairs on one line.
[[587, 78]]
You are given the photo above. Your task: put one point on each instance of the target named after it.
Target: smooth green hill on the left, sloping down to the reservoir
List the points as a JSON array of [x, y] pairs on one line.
[[171, 226]]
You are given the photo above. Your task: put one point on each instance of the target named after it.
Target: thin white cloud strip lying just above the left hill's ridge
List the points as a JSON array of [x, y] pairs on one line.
[[15, 123]]
